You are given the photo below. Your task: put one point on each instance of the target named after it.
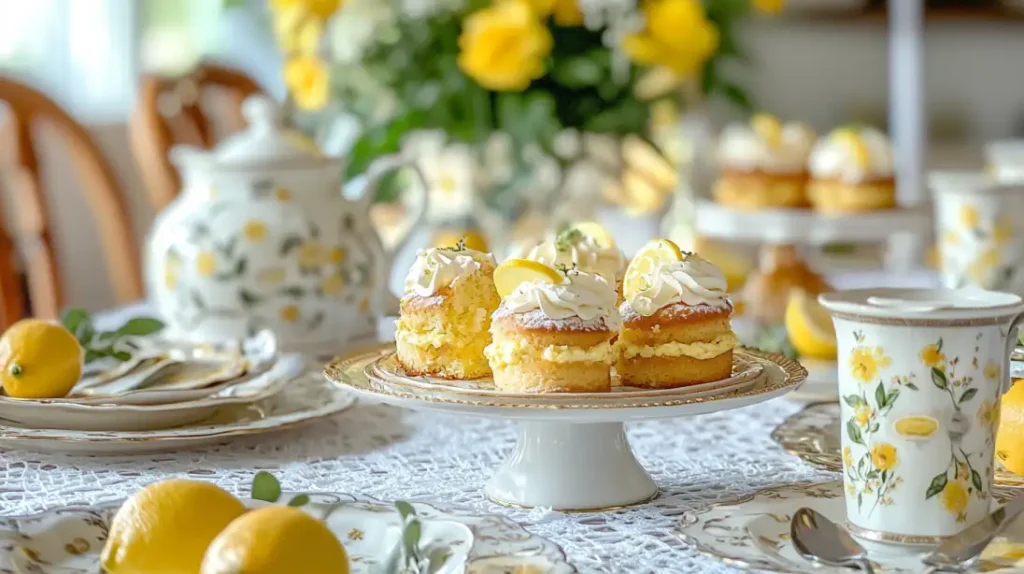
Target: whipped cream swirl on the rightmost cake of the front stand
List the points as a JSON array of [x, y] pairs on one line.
[[691, 282]]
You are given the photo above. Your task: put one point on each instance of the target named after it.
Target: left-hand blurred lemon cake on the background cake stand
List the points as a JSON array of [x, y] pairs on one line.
[[763, 164]]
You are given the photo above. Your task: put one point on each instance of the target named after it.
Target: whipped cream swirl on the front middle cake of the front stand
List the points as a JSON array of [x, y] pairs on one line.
[[581, 295]]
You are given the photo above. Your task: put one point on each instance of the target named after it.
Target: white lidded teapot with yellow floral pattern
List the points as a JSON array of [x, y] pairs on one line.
[[263, 237]]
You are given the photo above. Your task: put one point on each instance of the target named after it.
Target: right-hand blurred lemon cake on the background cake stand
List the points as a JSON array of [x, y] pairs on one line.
[[852, 170]]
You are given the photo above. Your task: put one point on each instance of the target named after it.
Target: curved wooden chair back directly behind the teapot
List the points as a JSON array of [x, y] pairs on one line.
[[170, 112]]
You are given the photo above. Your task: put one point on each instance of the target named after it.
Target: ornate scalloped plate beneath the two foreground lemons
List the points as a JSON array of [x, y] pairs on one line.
[[70, 540]]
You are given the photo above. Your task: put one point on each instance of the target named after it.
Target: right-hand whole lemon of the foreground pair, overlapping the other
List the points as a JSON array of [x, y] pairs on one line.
[[276, 541]]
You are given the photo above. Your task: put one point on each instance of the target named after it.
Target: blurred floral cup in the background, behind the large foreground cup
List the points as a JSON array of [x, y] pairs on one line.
[[980, 231]]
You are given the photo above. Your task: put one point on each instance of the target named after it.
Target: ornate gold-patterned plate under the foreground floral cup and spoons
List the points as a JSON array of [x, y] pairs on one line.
[[753, 534]]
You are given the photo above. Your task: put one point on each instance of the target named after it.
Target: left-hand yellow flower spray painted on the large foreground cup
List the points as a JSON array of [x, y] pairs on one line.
[[872, 474]]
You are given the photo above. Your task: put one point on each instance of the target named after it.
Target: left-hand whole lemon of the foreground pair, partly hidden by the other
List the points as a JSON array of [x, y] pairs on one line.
[[166, 527]]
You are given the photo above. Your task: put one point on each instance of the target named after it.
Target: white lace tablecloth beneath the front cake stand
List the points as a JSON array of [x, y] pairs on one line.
[[392, 454]]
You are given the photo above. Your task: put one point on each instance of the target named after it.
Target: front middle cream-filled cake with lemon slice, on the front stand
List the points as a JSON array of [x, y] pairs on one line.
[[554, 332]]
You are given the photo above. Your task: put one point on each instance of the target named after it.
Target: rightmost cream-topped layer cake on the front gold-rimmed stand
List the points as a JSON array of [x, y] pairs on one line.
[[676, 328]]
